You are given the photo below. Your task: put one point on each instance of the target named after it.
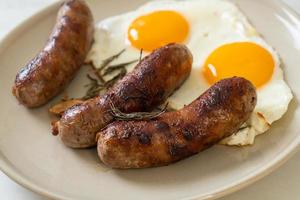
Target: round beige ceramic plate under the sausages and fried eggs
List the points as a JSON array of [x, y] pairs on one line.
[[31, 156]]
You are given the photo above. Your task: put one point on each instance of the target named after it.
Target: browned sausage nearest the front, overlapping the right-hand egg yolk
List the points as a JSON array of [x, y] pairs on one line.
[[216, 114]]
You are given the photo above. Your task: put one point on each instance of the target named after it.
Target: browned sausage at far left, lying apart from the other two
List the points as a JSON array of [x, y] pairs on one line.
[[54, 67]]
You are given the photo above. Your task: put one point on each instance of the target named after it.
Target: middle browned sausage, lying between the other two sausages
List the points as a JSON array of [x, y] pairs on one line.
[[147, 86]]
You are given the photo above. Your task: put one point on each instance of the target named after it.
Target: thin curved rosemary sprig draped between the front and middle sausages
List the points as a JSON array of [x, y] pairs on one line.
[[119, 115]]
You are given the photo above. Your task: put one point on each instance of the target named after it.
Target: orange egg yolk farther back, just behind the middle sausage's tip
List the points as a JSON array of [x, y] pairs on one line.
[[157, 29]]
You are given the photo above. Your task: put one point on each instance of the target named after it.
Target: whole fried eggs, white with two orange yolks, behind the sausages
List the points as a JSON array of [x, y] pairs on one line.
[[223, 44]]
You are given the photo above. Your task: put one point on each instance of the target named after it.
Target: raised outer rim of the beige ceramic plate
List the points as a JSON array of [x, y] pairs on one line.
[[281, 158]]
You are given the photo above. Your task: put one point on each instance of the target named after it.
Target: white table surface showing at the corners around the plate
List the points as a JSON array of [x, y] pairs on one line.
[[280, 185]]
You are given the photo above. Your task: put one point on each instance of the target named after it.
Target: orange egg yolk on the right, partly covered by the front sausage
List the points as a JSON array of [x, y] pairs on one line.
[[244, 59]]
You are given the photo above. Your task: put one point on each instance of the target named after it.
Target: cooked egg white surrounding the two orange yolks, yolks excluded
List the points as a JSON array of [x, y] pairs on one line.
[[212, 24]]
